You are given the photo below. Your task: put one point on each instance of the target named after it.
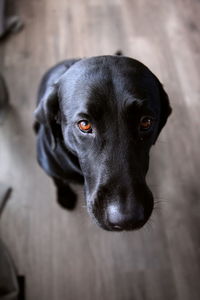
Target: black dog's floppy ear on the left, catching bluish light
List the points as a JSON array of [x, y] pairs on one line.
[[47, 112]]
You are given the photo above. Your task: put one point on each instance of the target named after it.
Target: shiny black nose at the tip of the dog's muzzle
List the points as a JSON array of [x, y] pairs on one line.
[[117, 219]]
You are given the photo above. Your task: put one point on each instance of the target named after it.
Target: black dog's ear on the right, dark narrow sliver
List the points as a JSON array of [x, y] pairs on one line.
[[165, 109]]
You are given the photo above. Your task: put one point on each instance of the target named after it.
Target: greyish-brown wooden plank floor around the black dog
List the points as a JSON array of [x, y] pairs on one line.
[[63, 255]]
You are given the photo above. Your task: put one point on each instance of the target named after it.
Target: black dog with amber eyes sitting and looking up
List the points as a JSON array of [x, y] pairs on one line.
[[96, 121]]
